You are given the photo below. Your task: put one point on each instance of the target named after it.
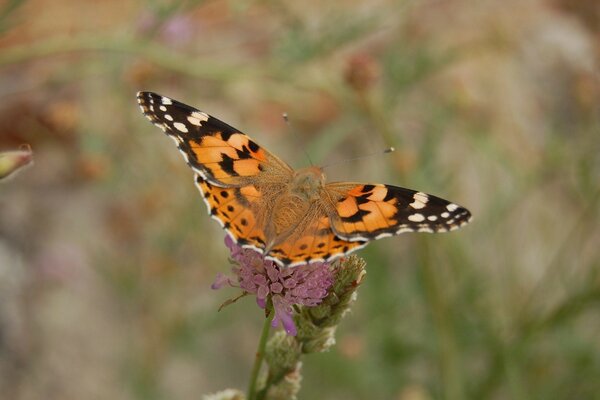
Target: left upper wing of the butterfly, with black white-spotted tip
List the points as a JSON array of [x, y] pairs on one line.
[[219, 153]]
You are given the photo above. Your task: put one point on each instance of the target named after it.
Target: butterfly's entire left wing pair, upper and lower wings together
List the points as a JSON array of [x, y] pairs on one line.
[[238, 178]]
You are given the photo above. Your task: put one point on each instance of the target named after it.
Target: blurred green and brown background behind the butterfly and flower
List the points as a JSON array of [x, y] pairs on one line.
[[107, 253]]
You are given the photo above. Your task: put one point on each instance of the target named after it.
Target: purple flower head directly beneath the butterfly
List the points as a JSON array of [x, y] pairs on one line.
[[305, 285]]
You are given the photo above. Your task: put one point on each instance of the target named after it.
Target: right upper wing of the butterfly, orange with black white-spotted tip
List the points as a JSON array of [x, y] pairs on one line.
[[365, 212]]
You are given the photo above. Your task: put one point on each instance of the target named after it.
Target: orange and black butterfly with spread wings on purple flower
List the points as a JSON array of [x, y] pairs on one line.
[[292, 217]]
